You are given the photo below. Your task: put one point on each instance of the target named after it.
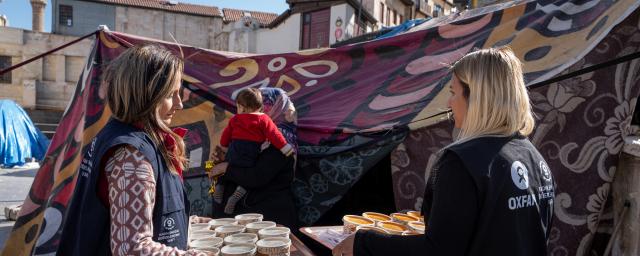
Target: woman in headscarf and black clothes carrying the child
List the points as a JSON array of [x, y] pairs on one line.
[[268, 183]]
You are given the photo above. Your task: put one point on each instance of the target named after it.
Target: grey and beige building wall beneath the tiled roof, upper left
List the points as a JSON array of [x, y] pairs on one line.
[[189, 29]]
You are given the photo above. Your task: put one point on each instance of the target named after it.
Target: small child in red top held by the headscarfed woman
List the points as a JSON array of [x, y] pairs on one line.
[[243, 139]]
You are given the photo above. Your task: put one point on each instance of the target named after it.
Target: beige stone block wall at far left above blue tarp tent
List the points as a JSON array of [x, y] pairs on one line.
[[49, 82]]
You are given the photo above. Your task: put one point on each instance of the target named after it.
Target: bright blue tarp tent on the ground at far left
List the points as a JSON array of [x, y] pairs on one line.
[[19, 138]]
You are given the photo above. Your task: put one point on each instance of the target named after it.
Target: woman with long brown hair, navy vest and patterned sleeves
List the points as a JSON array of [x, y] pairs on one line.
[[129, 198]]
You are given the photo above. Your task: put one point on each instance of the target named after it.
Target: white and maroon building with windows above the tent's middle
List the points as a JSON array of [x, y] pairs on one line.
[[313, 24]]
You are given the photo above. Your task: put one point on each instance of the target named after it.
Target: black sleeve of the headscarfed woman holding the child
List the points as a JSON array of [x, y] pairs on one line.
[[269, 163]]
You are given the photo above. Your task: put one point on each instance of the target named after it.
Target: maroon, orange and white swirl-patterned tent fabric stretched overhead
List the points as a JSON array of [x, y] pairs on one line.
[[355, 103]]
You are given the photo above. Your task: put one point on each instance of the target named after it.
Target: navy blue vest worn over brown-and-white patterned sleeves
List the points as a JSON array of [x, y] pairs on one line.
[[86, 228]]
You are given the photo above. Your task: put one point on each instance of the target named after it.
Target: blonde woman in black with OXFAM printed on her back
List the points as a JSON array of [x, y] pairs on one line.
[[493, 191]]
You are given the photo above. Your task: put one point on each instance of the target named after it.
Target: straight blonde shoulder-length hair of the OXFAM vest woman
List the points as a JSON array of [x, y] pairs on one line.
[[498, 102]]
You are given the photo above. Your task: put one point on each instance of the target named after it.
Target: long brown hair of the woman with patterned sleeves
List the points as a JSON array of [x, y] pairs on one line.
[[137, 81]]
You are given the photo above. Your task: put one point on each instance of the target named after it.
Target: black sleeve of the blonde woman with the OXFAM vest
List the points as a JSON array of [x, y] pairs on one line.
[[450, 224]]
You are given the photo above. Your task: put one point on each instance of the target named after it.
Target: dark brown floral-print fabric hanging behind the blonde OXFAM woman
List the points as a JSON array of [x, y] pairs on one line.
[[580, 129]]
